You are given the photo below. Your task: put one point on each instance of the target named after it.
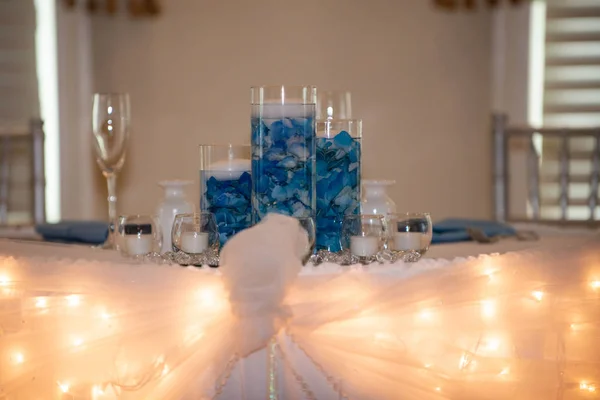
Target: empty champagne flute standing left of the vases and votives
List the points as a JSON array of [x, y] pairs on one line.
[[110, 126]]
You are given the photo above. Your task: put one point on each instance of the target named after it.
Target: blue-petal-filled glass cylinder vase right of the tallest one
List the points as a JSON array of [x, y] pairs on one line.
[[338, 178]]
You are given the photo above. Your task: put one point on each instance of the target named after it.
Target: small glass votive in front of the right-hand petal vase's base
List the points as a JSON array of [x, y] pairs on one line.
[[363, 235]]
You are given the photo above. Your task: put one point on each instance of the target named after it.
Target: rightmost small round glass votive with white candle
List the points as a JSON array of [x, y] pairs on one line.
[[410, 232]]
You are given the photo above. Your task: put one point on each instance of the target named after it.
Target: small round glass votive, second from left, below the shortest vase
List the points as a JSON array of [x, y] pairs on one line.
[[195, 233]]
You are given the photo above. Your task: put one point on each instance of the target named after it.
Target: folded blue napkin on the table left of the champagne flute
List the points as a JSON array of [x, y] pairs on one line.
[[92, 232]]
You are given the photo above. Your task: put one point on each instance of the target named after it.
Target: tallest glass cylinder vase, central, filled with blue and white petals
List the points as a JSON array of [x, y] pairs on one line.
[[283, 150]]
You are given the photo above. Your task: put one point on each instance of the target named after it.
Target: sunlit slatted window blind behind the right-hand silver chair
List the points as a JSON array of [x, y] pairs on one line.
[[571, 100]]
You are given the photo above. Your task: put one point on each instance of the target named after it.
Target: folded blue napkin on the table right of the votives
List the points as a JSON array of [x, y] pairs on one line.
[[455, 229]]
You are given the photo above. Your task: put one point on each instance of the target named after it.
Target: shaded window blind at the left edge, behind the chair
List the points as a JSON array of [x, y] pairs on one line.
[[19, 103]]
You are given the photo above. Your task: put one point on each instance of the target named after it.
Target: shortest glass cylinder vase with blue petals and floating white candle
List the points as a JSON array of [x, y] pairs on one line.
[[226, 187]]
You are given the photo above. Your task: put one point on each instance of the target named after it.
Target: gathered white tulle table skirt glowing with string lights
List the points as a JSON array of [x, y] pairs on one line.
[[521, 325]]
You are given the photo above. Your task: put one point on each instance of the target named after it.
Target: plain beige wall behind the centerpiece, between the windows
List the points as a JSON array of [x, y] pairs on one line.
[[420, 80]]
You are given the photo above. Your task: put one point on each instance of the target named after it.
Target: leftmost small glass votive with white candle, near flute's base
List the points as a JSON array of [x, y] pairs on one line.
[[138, 235]]
